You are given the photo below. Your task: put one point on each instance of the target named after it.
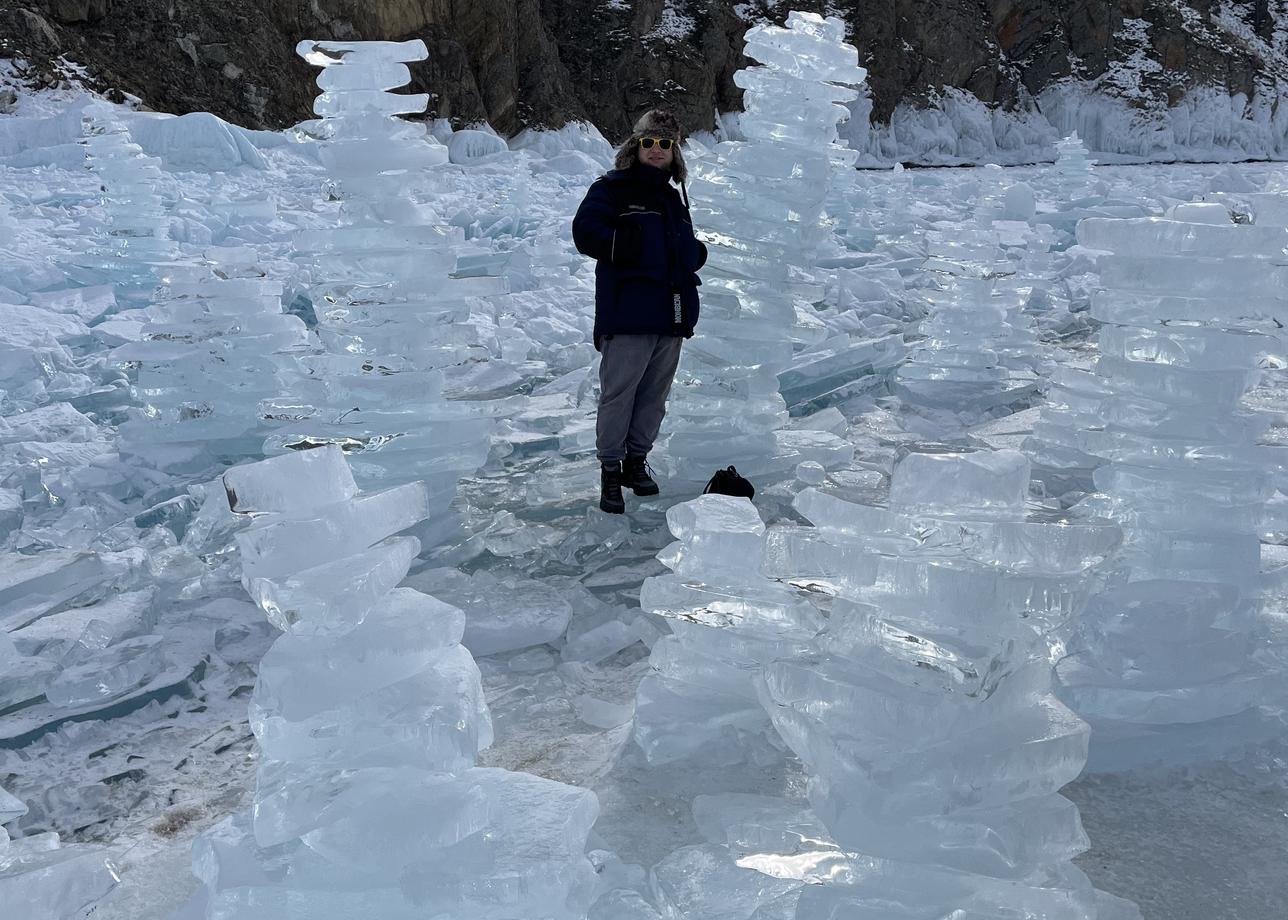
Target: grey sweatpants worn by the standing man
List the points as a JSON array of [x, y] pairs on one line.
[[636, 374]]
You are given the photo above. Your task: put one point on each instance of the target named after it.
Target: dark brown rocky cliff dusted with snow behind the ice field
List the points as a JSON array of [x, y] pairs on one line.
[[543, 62]]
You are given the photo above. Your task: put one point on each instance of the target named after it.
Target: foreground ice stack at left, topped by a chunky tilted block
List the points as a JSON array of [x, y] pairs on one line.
[[369, 716]]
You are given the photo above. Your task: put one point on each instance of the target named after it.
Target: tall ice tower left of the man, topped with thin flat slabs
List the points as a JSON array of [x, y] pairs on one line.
[[387, 311]]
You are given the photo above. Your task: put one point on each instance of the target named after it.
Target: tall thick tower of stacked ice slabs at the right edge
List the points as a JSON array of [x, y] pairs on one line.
[[1171, 666]]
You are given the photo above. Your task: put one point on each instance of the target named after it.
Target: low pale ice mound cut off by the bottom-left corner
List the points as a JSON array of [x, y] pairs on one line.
[[43, 881]]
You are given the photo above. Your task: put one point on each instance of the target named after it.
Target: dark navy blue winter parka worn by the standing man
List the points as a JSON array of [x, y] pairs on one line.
[[638, 230]]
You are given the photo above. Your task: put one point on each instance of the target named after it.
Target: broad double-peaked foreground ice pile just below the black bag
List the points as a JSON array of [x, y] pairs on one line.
[[905, 655]]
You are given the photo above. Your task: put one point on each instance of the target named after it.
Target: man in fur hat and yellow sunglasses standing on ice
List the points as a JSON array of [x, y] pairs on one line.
[[636, 226]]
